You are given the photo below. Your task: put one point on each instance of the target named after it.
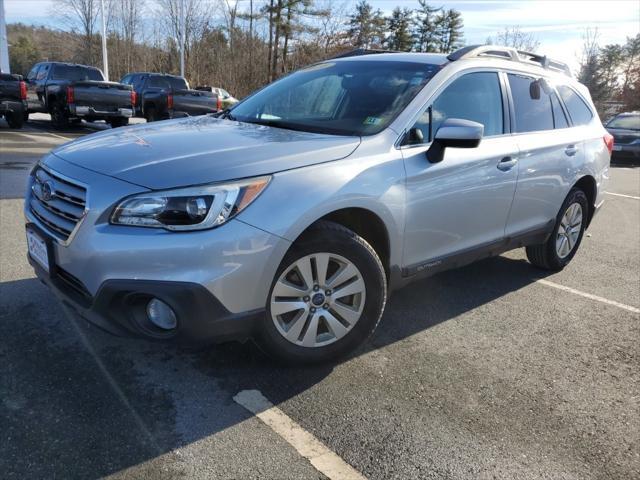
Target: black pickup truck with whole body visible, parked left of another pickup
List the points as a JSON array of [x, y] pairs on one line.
[[69, 91]]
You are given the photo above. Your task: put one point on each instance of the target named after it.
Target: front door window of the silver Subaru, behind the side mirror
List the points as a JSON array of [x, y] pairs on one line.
[[474, 96]]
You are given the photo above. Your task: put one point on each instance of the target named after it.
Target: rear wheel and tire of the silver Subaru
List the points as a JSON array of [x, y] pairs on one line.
[[553, 254]]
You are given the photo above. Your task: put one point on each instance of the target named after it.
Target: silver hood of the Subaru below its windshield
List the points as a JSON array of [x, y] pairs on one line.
[[198, 150]]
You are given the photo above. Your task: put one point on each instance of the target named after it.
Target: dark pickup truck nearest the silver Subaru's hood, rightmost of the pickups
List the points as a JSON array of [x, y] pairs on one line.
[[161, 96]]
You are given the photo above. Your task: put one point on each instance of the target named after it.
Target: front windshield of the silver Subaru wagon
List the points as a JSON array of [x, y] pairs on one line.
[[341, 98]]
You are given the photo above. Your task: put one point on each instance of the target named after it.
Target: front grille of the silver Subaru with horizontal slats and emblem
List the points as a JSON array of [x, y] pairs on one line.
[[58, 203]]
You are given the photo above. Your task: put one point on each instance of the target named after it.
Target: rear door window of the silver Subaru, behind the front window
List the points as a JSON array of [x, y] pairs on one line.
[[533, 110]]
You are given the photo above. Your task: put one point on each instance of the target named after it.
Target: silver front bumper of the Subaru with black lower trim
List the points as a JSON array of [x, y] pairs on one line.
[[217, 281]]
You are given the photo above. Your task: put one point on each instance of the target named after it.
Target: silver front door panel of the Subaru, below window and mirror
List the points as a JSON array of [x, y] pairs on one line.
[[460, 203]]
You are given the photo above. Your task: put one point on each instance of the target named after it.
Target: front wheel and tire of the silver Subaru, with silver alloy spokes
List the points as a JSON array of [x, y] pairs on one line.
[[343, 250]]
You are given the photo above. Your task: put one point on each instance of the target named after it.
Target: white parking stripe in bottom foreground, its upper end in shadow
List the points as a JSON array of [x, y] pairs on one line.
[[324, 460]]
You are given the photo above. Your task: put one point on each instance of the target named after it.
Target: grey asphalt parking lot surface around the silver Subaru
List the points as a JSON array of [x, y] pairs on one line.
[[496, 370]]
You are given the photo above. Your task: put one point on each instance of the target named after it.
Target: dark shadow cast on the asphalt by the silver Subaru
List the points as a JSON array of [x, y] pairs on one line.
[[77, 402]]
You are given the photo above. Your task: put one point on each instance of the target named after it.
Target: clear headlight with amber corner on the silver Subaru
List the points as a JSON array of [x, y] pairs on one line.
[[193, 208]]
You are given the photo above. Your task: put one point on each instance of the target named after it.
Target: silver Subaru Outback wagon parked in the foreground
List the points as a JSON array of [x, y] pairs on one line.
[[289, 218]]
